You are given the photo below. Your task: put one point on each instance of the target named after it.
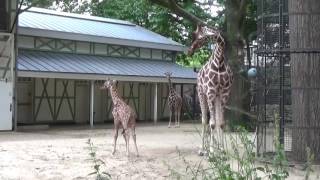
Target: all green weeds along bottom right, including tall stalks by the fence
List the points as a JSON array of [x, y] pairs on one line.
[[242, 154]]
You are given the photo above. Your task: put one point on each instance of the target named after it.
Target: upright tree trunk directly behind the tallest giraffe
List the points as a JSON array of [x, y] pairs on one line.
[[235, 55]]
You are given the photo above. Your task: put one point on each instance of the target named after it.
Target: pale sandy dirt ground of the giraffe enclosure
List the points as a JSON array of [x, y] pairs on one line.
[[62, 153]]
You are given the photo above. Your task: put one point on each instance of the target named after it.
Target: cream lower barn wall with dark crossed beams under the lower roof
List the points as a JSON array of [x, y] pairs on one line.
[[81, 96]]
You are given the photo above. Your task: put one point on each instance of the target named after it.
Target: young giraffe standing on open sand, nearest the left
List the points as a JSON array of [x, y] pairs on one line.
[[123, 116]]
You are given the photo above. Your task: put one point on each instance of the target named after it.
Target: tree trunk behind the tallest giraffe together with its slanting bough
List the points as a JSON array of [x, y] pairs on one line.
[[235, 16]]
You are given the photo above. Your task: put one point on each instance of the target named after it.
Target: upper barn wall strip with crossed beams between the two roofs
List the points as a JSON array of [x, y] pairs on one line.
[[81, 47]]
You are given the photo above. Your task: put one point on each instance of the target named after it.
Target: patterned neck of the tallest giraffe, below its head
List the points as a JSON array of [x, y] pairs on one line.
[[217, 57]]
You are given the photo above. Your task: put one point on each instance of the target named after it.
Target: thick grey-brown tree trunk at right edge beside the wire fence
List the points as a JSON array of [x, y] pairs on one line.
[[304, 28]]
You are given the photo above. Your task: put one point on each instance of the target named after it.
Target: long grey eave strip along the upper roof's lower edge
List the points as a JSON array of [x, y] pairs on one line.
[[98, 39]]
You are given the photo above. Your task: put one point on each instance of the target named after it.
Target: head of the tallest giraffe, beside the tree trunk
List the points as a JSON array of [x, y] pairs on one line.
[[201, 35]]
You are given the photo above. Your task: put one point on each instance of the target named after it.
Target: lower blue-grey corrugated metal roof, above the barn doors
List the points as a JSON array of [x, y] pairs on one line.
[[38, 61]]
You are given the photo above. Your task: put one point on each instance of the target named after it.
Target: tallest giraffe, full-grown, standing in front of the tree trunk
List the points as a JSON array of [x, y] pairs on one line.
[[213, 83]]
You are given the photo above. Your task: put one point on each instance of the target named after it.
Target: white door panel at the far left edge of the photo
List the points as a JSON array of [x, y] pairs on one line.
[[6, 80]]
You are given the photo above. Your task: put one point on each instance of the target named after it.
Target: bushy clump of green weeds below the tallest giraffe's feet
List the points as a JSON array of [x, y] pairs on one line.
[[220, 160]]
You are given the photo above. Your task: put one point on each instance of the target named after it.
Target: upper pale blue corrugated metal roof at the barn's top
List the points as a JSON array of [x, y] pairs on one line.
[[36, 19]]
